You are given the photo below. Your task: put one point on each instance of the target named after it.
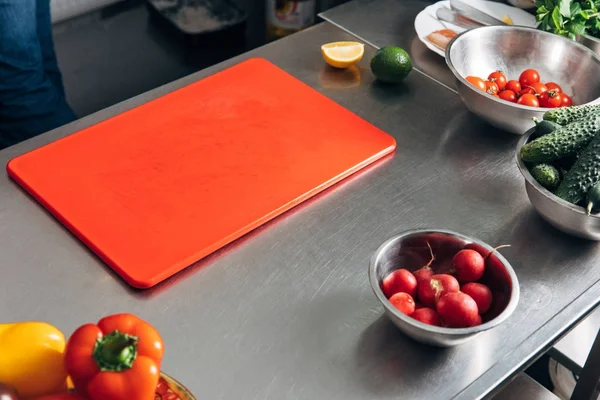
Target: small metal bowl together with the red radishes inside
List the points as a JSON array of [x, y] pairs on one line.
[[442, 288]]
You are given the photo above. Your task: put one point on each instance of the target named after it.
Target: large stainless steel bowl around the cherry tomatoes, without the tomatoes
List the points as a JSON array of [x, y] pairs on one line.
[[512, 49]]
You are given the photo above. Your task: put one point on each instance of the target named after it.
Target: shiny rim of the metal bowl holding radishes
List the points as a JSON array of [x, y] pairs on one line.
[[510, 307]]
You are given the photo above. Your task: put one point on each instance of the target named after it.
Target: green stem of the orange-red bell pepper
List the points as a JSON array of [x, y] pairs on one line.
[[115, 352]]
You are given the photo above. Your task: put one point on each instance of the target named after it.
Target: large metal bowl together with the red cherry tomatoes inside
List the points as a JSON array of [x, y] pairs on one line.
[[509, 75]]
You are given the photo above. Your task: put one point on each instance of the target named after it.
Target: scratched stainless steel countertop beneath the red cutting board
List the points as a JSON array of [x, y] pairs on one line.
[[287, 312]]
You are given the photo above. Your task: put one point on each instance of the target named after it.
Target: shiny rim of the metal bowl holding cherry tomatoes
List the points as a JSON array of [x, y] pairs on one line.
[[502, 27]]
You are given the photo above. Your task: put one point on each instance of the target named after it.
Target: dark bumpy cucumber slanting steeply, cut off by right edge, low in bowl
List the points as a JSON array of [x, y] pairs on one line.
[[584, 174]]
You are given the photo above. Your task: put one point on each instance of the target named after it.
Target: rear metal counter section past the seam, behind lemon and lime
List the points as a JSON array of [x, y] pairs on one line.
[[391, 23]]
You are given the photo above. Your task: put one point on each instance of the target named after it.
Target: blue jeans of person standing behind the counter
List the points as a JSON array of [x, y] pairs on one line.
[[32, 96]]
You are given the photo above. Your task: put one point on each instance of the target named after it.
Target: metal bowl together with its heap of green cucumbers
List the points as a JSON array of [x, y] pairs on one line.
[[560, 161]]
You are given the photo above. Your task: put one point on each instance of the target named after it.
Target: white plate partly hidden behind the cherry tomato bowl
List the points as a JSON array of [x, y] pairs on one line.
[[426, 21]]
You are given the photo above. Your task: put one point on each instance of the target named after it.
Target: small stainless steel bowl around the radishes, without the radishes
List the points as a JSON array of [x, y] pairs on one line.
[[409, 250]]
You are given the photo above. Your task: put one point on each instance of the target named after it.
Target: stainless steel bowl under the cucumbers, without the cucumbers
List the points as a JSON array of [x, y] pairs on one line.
[[559, 213]]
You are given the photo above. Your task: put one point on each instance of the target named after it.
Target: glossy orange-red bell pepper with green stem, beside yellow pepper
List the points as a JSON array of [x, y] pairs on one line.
[[117, 359]]
